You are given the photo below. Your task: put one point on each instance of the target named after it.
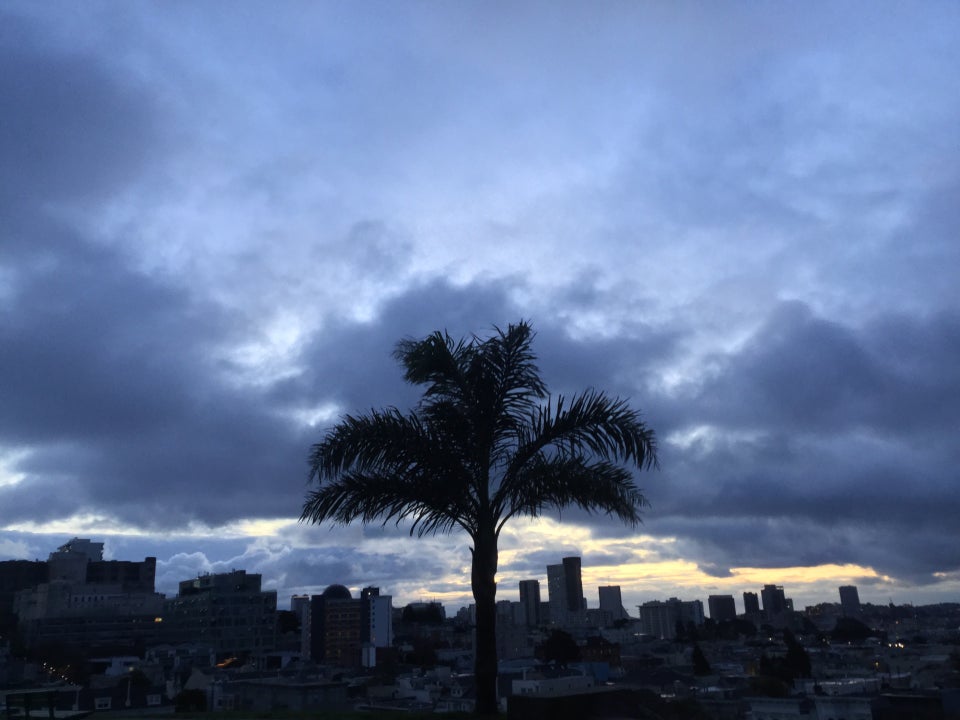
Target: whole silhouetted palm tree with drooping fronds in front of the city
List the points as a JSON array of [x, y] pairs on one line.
[[484, 444]]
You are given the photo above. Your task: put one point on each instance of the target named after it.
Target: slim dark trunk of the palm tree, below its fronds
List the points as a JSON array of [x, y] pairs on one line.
[[483, 581]]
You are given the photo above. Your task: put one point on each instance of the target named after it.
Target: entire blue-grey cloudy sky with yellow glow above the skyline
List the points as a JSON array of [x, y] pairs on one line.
[[217, 219]]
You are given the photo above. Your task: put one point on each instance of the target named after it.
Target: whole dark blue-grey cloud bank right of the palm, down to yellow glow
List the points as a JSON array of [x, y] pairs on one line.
[[817, 441]]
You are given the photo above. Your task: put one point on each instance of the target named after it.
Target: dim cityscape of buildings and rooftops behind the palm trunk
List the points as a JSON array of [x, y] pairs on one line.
[[79, 633]]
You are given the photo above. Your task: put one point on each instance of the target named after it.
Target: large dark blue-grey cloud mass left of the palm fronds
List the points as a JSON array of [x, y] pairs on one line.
[[114, 390]]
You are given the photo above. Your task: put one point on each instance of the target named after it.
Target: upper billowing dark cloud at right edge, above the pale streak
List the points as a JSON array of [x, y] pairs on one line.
[[808, 375]]
